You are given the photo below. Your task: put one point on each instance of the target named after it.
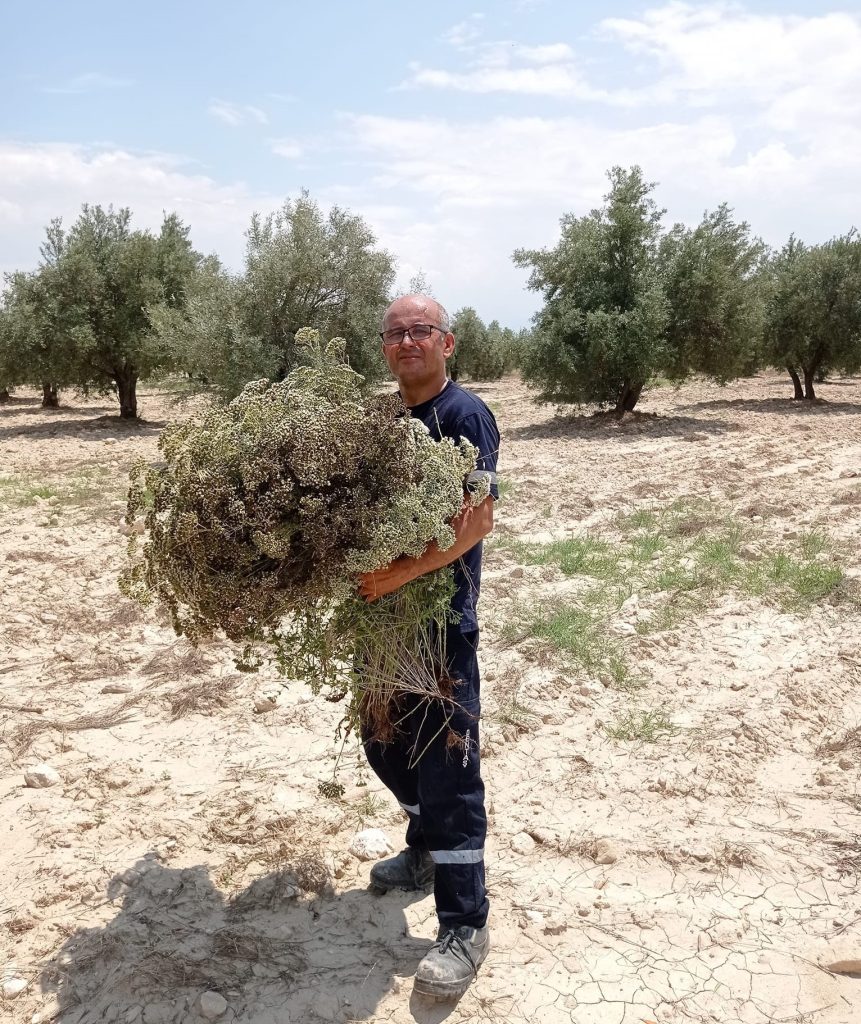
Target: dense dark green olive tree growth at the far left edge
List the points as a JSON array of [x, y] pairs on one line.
[[79, 320]]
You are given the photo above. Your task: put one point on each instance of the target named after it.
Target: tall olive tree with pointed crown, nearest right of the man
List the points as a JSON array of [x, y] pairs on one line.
[[601, 333]]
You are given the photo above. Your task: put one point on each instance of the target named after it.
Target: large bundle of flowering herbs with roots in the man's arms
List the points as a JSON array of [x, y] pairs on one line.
[[265, 513]]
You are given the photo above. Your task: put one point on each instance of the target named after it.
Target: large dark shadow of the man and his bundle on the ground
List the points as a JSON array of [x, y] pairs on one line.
[[277, 952]]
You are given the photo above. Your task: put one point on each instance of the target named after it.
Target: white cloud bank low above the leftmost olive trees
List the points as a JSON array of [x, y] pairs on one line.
[[42, 182]]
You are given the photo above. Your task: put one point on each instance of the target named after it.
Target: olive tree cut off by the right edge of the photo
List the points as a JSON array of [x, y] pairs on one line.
[[813, 313]]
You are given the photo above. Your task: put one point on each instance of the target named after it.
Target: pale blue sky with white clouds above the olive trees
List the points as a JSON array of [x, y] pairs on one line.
[[459, 132]]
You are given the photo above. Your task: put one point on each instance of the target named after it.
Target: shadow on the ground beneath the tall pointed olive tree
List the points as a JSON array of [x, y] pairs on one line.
[[631, 428]]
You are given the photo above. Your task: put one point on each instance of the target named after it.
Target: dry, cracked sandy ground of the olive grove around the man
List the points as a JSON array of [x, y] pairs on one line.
[[710, 875]]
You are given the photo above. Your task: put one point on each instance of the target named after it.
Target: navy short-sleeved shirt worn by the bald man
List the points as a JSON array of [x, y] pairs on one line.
[[457, 413]]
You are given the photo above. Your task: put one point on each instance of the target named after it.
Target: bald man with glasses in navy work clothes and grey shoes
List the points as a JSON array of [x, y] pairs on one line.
[[440, 786]]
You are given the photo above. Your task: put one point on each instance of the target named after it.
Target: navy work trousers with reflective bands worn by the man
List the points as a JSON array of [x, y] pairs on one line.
[[439, 784]]
